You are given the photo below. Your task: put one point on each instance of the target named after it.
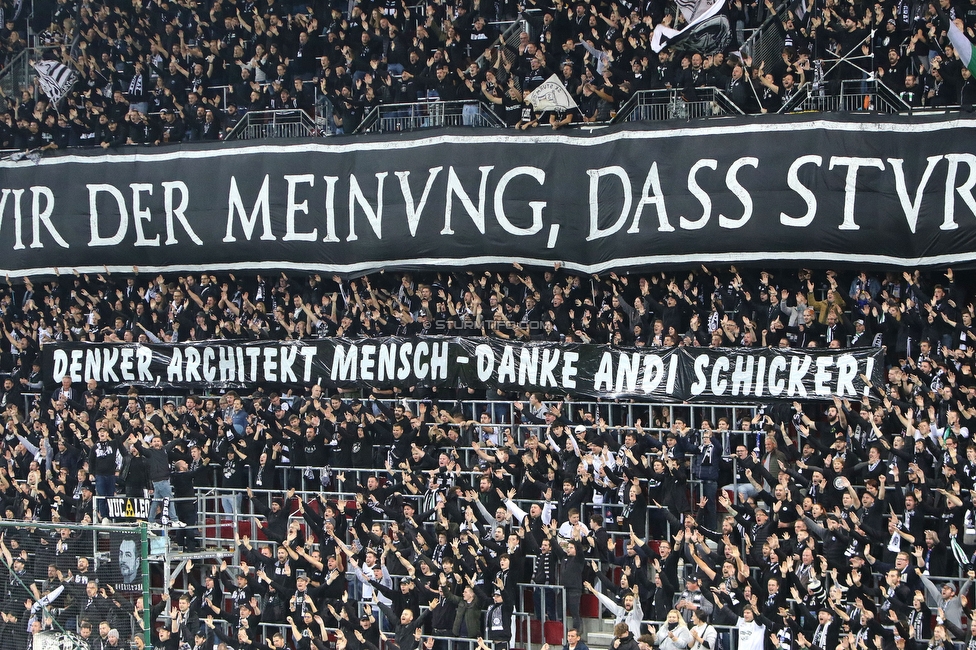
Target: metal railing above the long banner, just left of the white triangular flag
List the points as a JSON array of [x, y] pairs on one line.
[[390, 118]]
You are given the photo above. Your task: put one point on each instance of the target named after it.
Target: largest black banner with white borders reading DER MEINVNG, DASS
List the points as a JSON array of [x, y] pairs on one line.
[[811, 191]]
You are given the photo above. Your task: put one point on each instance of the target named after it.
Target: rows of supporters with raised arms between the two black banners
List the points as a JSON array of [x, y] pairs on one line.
[[924, 323]]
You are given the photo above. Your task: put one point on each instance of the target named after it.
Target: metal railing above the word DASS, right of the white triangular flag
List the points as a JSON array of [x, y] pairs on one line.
[[668, 104]]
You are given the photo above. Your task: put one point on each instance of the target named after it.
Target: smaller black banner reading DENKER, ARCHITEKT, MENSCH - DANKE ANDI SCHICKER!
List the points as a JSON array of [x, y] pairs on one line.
[[674, 375]]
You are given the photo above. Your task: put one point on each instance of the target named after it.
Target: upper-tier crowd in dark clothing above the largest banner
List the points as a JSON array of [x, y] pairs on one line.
[[167, 71]]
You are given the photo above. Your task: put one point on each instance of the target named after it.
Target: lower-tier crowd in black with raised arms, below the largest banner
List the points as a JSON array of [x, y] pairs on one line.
[[803, 527]]
